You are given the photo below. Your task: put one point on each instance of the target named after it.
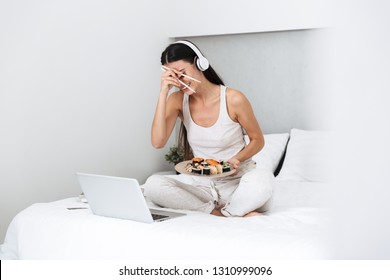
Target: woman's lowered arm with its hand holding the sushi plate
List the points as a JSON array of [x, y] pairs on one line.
[[240, 110]]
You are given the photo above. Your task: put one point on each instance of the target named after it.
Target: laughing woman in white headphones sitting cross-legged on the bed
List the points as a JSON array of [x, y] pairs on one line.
[[213, 117]]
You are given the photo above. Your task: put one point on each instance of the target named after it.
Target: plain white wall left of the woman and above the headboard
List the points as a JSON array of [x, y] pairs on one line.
[[79, 79]]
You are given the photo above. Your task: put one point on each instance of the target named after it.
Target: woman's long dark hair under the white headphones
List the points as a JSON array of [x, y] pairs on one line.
[[179, 51]]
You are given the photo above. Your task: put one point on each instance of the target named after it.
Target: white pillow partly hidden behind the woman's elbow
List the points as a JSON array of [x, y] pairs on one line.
[[271, 154]]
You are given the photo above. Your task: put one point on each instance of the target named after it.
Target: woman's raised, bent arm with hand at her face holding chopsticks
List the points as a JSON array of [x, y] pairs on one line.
[[167, 110]]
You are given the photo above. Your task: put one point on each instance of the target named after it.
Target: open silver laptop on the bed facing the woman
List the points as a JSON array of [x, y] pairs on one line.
[[119, 198]]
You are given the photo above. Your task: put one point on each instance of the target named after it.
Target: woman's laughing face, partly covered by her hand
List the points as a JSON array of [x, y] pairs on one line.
[[181, 67]]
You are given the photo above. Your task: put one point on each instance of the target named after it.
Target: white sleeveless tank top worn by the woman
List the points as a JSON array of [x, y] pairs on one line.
[[221, 141]]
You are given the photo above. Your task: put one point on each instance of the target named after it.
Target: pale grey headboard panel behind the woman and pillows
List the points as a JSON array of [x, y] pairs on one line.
[[280, 73]]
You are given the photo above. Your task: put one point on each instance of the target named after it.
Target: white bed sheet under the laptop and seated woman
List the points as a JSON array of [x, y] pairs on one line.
[[293, 229]]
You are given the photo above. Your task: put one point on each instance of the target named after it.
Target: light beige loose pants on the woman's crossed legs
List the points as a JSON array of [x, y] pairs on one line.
[[249, 190]]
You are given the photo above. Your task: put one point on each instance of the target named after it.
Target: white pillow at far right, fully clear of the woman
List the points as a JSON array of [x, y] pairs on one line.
[[307, 156]]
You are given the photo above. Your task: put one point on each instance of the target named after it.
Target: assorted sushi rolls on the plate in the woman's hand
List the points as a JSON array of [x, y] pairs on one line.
[[207, 166]]
